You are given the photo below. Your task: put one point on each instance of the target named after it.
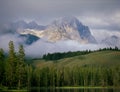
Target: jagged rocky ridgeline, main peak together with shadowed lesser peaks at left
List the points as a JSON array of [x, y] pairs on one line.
[[65, 28]]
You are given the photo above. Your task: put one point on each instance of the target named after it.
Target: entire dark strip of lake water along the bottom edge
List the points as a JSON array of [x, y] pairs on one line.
[[70, 90]]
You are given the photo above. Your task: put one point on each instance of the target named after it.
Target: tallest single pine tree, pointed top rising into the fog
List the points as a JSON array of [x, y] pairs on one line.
[[10, 69]]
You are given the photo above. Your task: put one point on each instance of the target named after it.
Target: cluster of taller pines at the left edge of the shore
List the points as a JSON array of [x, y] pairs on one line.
[[13, 69]]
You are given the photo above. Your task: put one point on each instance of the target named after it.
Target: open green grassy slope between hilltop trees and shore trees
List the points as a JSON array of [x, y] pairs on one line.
[[103, 58]]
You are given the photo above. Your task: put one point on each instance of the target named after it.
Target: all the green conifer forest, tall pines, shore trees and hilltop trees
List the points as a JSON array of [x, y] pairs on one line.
[[16, 73]]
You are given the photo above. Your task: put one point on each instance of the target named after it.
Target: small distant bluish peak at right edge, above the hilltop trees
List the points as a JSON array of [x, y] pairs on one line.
[[111, 41]]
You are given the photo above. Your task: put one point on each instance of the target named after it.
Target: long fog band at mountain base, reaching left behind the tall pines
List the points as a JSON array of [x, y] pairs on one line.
[[41, 47]]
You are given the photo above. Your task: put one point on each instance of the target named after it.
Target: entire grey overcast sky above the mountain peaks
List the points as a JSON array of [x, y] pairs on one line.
[[97, 14]]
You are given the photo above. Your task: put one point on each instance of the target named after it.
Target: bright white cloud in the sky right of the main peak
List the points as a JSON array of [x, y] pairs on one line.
[[102, 22]]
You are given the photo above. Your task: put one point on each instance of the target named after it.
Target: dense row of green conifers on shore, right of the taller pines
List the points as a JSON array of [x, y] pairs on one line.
[[77, 76]]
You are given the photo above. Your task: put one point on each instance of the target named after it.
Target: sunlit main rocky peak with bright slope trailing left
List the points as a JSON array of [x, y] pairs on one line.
[[66, 28]]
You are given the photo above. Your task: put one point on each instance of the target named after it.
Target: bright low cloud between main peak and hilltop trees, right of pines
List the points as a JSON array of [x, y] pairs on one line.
[[41, 47]]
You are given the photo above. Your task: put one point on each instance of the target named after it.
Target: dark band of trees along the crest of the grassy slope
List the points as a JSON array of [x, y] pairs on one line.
[[57, 56]]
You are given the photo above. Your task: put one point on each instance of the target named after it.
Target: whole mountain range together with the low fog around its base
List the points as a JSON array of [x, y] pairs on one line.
[[62, 35]]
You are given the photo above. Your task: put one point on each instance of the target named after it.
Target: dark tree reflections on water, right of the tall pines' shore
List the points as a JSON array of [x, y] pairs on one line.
[[75, 90]]
